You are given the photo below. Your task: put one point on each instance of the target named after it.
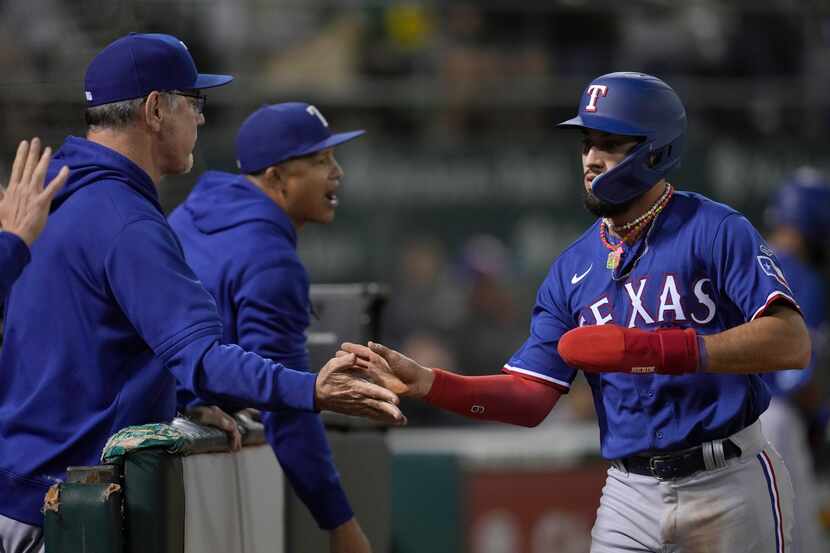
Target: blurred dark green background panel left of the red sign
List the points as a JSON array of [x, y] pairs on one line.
[[426, 503]]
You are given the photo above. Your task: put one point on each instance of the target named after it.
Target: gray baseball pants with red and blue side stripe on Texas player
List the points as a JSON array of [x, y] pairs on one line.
[[745, 505]]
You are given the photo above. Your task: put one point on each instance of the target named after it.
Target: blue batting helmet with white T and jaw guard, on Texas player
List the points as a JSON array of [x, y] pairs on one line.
[[638, 105]]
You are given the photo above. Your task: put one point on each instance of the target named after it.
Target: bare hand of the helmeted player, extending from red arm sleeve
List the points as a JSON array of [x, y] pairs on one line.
[[392, 369]]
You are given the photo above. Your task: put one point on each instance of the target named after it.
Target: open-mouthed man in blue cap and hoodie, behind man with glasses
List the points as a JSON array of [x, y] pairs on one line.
[[239, 233]]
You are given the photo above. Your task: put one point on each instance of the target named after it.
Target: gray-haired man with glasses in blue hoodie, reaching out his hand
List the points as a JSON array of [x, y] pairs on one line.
[[108, 290]]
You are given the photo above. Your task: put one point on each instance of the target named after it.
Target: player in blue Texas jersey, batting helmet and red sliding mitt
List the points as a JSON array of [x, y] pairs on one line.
[[672, 305]]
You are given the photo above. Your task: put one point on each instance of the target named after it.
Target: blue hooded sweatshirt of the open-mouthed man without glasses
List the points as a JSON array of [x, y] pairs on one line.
[[243, 247]]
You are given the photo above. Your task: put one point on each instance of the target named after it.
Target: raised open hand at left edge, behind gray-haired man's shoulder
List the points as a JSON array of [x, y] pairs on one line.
[[24, 205]]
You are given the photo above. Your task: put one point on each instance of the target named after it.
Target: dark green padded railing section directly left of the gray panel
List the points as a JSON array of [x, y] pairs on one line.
[[155, 502]]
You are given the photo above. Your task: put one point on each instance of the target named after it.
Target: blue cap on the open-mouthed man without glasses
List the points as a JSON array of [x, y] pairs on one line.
[[275, 133]]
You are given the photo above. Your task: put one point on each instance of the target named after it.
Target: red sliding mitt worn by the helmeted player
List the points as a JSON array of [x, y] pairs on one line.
[[612, 348]]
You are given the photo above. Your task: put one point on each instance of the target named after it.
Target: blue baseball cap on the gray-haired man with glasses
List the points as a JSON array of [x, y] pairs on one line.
[[137, 64]]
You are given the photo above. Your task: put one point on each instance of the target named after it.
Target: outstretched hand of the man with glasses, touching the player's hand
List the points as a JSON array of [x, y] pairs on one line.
[[345, 387]]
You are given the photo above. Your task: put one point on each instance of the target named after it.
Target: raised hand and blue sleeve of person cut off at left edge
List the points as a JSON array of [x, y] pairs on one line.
[[24, 207]]
